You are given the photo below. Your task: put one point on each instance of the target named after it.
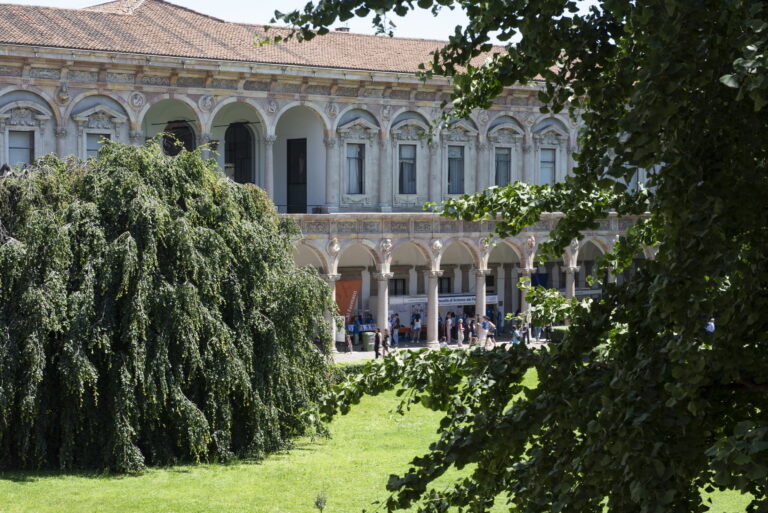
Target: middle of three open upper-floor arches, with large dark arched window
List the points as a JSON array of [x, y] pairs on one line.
[[238, 125]]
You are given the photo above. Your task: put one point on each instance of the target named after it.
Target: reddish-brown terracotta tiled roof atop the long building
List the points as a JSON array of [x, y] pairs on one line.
[[157, 27]]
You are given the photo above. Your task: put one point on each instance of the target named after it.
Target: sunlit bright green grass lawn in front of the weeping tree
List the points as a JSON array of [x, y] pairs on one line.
[[352, 468]]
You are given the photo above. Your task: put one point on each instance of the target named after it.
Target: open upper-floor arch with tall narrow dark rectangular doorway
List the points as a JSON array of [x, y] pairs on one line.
[[299, 161]]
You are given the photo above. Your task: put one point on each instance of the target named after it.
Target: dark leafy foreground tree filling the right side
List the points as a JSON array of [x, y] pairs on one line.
[[674, 88]]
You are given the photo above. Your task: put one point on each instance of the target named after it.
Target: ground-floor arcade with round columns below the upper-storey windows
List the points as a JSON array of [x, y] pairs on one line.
[[422, 263]]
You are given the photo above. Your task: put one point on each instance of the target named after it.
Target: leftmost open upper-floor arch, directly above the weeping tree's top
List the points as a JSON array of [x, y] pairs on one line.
[[175, 118]]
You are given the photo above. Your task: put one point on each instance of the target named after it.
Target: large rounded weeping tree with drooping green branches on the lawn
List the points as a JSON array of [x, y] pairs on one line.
[[150, 313]]
